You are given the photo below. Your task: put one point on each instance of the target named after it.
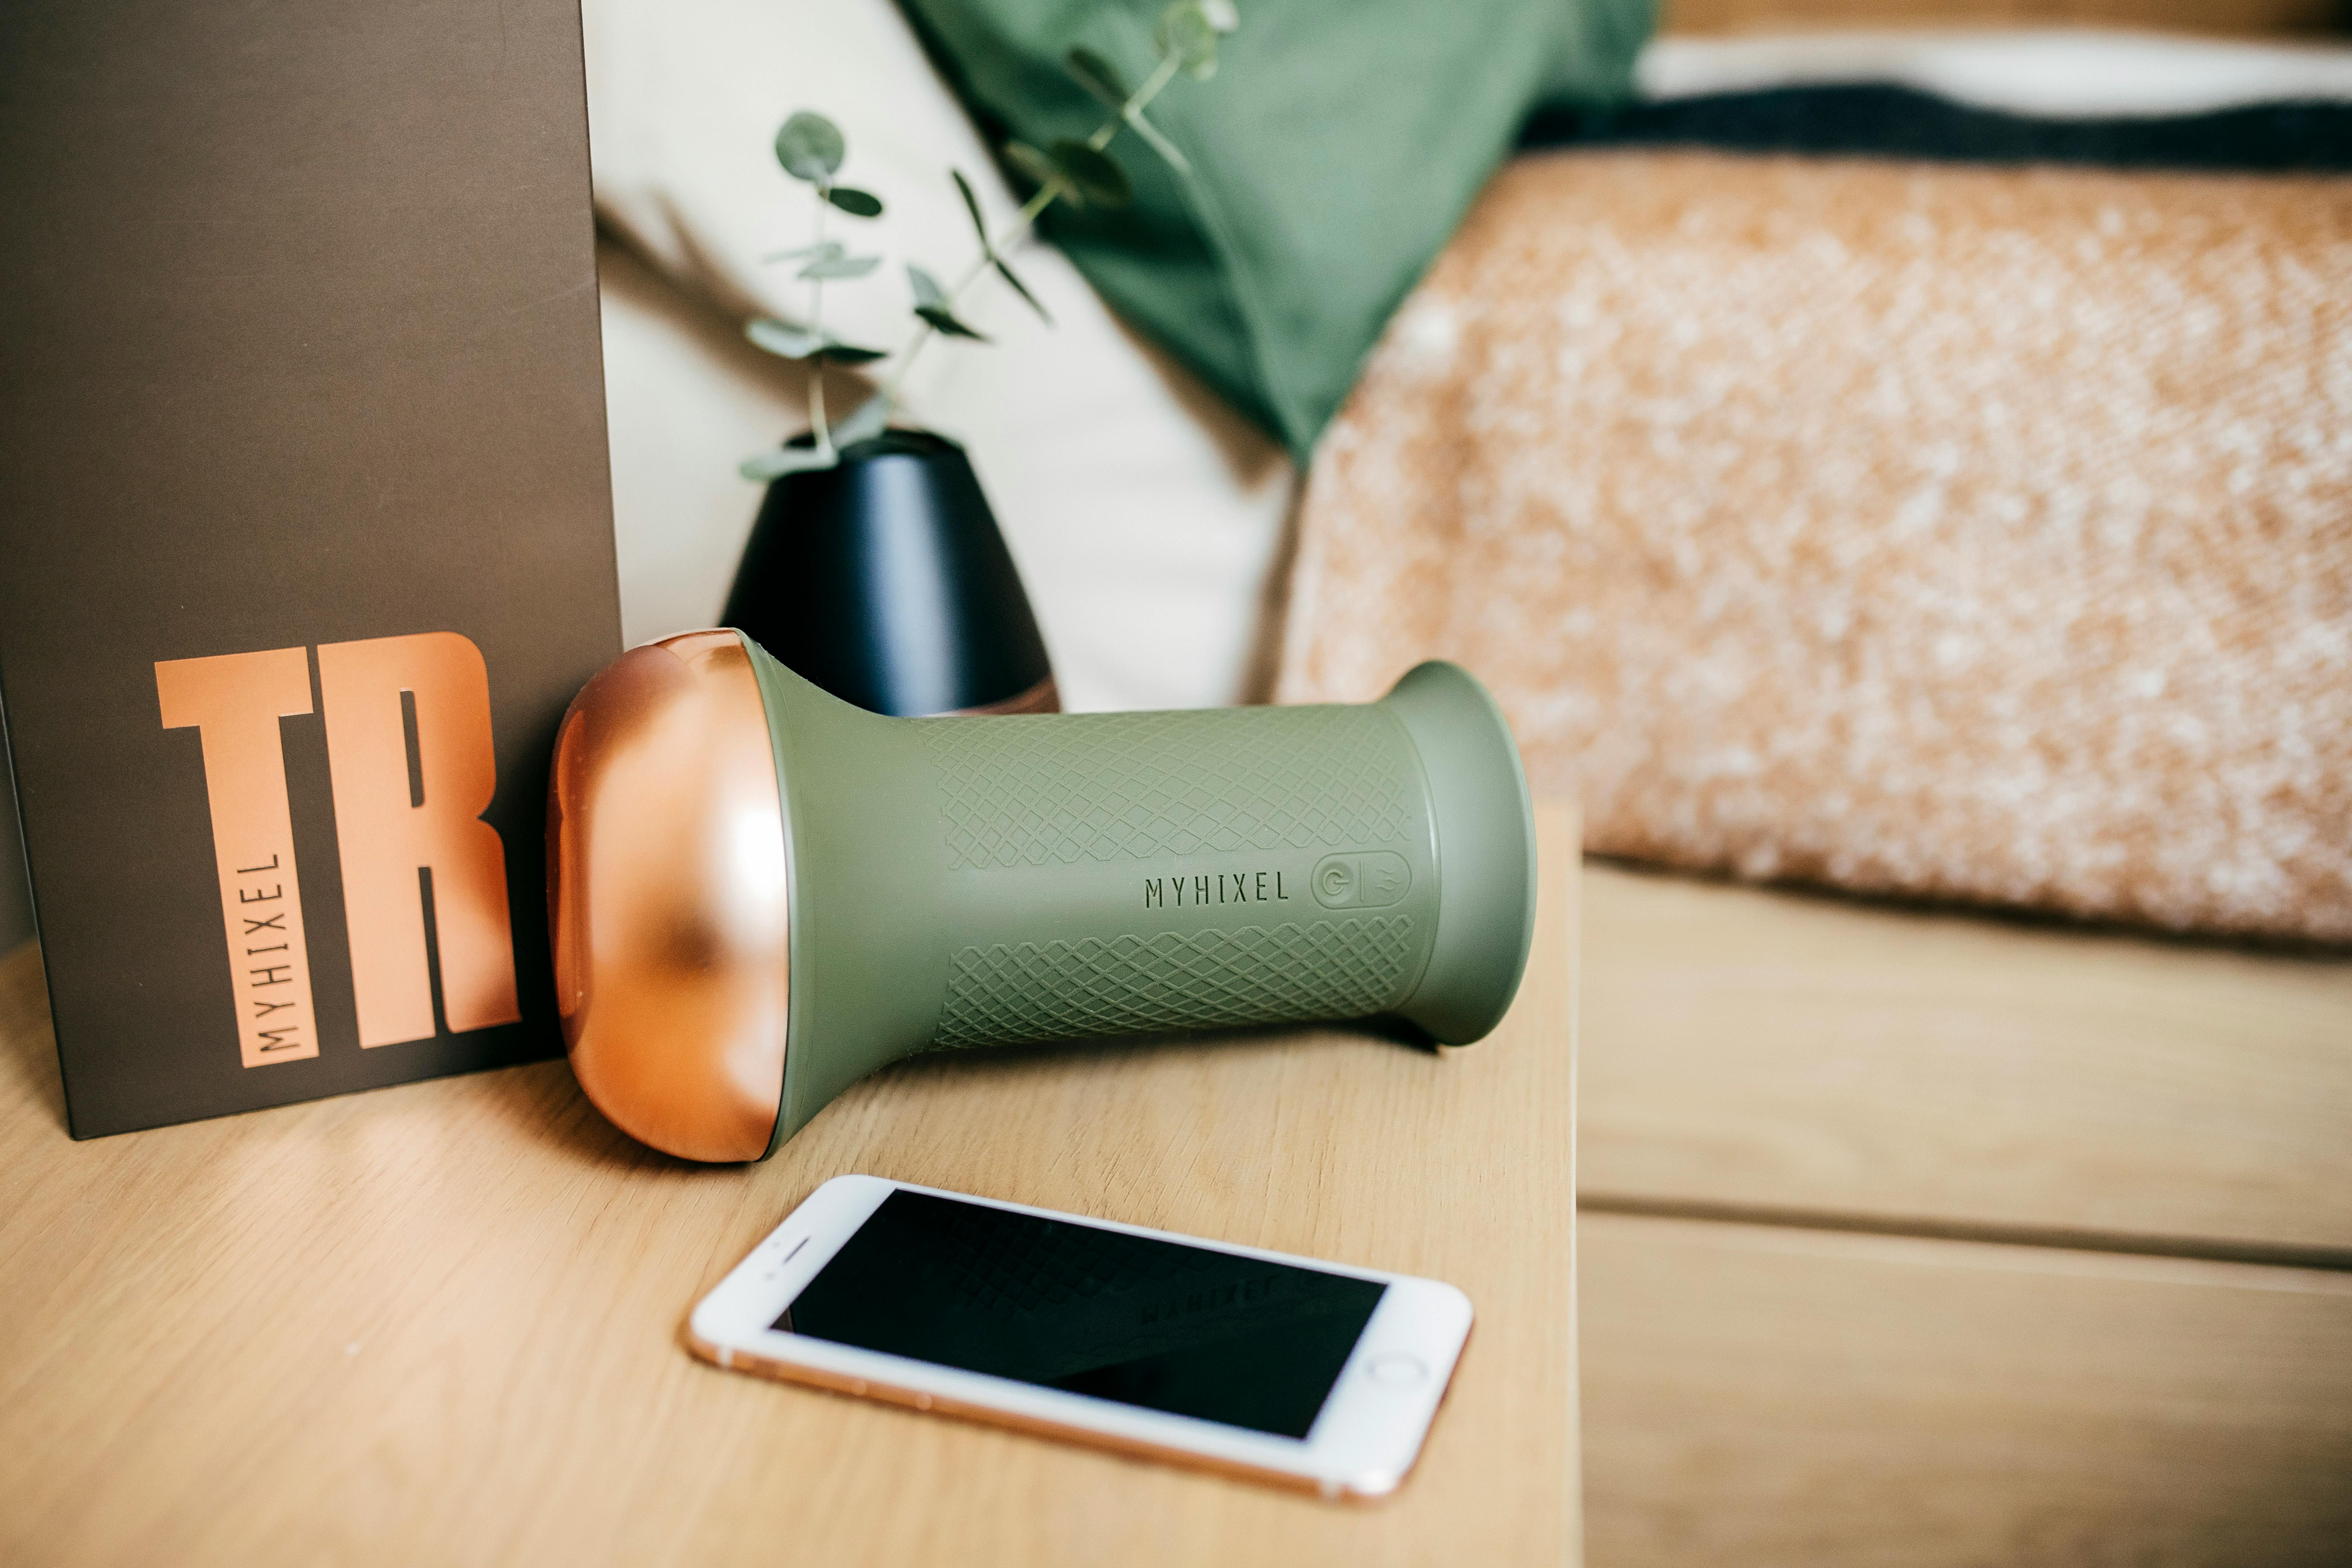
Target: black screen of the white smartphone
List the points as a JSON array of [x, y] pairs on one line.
[[1090, 1311]]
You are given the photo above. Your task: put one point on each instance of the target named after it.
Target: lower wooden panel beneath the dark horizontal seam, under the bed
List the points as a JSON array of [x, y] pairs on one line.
[[1760, 1395]]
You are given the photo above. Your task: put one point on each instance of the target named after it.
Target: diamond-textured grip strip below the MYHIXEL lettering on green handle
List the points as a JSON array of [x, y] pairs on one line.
[[1177, 981]]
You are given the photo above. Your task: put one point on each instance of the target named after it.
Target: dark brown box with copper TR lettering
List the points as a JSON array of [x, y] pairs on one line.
[[305, 532]]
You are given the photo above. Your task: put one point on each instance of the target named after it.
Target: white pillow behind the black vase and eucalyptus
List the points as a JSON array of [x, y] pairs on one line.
[[1147, 518]]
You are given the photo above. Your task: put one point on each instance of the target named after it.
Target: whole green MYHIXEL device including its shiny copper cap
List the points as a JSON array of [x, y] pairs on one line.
[[761, 894]]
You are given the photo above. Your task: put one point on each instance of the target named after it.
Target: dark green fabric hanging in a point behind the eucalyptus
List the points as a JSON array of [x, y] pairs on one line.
[[1332, 156]]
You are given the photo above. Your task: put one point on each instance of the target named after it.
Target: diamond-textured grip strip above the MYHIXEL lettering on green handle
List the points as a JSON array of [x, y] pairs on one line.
[[1132, 786]]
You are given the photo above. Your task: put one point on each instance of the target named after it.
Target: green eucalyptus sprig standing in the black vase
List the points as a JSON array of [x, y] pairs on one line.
[[1071, 170]]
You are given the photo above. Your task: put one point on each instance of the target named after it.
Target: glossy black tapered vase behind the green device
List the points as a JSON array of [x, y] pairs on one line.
[[886, 582]]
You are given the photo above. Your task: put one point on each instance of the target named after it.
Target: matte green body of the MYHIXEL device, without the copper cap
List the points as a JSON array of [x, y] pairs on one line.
[[970, 883]]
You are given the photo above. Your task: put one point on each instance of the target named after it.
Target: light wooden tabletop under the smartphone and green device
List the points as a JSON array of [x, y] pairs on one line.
[[441, 1325]]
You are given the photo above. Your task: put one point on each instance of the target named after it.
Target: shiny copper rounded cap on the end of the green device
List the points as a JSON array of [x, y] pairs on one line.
[[667, 899]]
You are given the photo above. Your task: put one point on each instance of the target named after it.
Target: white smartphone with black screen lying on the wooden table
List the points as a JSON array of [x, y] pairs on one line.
[[1229, 1358]]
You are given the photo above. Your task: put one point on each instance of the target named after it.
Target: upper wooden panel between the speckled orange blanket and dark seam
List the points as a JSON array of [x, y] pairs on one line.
[[1782, 1052]]
